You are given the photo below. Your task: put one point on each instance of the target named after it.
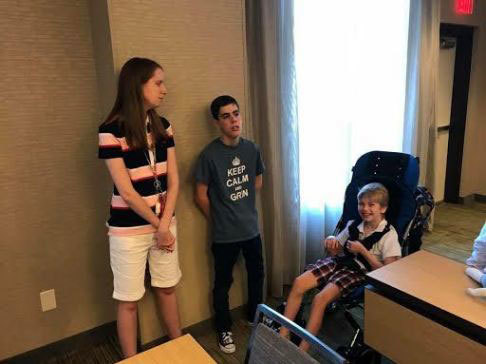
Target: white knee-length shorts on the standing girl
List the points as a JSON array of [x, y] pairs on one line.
[[128, 258]]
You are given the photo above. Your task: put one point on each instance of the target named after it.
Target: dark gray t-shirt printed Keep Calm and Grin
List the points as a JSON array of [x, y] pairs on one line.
[[229, 172]]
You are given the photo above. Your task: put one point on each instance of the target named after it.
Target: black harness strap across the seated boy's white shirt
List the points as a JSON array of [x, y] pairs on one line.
[[368, 242]]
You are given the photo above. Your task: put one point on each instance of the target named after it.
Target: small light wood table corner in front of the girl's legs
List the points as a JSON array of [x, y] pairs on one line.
[[183, 350]]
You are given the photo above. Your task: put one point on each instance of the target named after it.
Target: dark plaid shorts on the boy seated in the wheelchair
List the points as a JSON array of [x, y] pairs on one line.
[[327, 271]]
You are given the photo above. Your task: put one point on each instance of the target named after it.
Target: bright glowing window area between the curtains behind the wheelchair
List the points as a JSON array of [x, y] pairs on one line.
[[351, 62]]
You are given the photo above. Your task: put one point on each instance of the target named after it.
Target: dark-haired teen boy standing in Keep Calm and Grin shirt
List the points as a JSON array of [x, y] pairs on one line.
[[228, 174]]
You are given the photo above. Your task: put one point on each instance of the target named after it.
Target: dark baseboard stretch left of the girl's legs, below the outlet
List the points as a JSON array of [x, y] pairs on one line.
[[79, 341]]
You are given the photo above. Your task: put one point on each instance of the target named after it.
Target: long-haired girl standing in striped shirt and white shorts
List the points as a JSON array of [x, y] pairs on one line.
[[138, 148]]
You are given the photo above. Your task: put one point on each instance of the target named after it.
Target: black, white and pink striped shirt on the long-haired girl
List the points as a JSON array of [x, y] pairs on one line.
[[112, 144]]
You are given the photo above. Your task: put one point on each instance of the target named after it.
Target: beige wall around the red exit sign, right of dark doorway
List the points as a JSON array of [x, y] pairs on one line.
[[473, 178]]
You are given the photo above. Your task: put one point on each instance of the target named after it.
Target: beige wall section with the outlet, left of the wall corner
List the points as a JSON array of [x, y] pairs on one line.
[[53, 200]]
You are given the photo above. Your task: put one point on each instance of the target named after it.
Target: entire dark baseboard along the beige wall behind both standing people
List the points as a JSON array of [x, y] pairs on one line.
[[98, 334]]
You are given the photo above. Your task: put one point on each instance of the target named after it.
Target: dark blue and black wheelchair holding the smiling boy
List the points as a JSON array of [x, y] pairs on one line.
[[409, 209]]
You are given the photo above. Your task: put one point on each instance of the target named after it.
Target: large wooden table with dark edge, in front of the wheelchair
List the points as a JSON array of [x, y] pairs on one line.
[[417, 311]]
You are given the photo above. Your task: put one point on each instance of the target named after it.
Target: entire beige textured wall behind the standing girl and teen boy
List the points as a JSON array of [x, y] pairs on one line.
[[56, 86]]
